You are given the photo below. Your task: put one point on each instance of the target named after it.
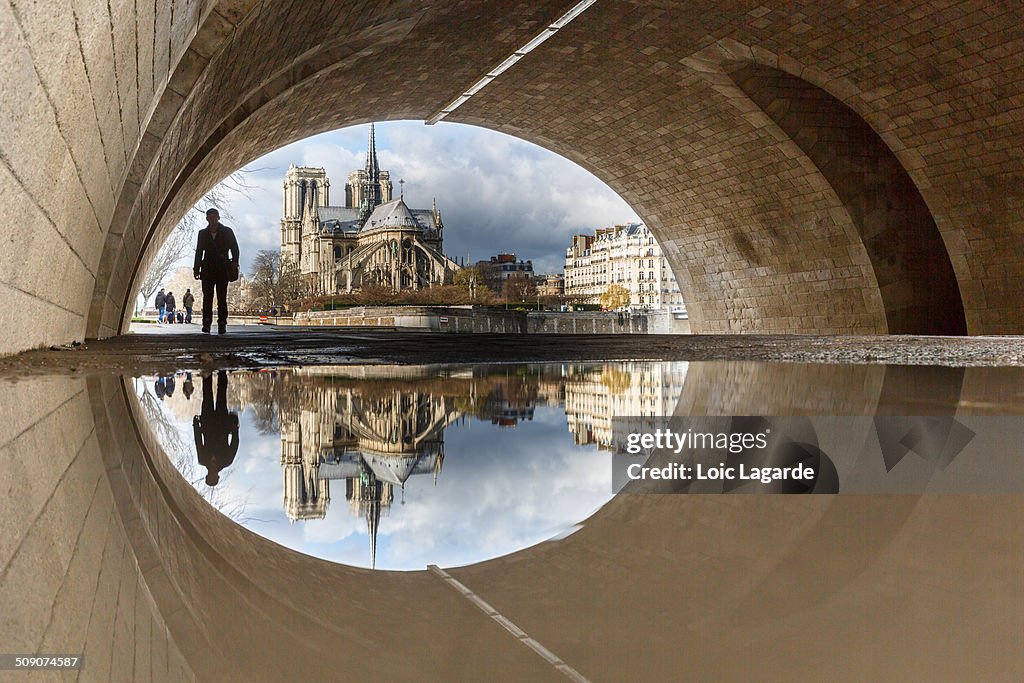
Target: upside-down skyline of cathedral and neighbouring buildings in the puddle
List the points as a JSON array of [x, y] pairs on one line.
[[377, 429]]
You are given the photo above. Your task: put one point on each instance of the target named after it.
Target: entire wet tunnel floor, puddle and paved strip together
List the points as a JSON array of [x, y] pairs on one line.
[[110, 510]]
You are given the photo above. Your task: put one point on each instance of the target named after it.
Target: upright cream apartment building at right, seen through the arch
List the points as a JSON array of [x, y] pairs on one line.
[[625, 255]]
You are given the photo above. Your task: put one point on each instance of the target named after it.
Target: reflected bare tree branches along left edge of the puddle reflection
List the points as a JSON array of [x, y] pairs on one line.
[[183, 455]]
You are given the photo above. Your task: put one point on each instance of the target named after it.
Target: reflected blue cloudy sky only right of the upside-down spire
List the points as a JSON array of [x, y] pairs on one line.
[[501, 491]]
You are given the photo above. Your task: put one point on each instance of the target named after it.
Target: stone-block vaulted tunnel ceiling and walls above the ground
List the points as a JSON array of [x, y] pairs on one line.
[[125, 116]]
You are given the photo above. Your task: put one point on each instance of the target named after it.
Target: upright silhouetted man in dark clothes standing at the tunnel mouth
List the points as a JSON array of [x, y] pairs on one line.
[[217, 264]]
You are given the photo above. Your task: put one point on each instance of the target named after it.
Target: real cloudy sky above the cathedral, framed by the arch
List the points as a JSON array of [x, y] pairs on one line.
[[496, 193]]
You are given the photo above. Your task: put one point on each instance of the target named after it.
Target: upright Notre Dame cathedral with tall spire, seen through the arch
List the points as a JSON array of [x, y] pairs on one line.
[[373, 241]]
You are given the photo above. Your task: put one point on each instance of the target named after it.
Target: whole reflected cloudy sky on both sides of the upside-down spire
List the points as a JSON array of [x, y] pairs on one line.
[[500, 491]]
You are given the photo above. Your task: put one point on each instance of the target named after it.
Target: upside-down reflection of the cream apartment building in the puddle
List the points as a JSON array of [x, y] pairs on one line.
[[595, 396]]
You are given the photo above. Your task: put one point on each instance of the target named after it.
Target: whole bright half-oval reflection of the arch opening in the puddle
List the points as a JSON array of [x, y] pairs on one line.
[[446, 465]]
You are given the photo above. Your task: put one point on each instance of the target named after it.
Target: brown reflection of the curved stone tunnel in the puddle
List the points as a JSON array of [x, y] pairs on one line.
[[108, 551]]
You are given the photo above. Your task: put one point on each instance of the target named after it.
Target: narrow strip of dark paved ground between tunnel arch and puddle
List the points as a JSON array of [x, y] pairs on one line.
[[168, 349]]
